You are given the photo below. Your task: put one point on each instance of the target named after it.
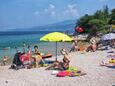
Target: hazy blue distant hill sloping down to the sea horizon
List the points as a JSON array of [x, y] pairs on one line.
[[67, 25]]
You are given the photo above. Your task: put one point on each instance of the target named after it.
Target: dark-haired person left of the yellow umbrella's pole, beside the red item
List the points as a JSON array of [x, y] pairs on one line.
[[37, 57]]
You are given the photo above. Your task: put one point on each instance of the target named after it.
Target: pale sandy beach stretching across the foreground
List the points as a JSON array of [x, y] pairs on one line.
[[96, 75]]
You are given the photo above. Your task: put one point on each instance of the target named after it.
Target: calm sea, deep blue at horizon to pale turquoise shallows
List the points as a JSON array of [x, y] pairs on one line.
[[10, 40]]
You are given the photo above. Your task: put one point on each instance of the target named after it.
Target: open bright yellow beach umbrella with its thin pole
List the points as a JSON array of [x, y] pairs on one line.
[[56, 37]]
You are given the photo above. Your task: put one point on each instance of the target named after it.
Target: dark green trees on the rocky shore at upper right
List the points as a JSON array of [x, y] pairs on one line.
[[97, 22]]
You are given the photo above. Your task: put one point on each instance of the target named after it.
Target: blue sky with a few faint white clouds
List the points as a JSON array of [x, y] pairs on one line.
[[30, 13]]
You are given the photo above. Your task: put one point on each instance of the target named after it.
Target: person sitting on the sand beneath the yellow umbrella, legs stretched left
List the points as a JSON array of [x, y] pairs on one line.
[[64, 65]]
